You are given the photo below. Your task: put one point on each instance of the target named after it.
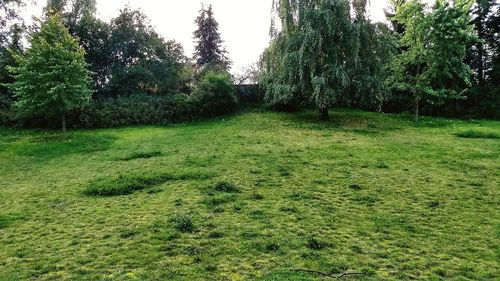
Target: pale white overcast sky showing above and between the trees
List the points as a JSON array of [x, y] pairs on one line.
[[244, 24]]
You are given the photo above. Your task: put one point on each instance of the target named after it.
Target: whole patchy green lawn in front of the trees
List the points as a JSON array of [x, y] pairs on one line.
[[257, 196]]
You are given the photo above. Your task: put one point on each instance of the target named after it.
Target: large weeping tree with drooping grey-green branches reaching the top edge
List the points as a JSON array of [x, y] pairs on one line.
[[314, 56]]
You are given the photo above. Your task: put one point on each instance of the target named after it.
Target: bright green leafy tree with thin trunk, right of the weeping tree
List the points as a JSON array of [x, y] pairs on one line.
[[431, 62]]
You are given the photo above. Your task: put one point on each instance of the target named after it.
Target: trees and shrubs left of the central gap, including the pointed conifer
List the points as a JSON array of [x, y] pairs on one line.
[[89, 71]]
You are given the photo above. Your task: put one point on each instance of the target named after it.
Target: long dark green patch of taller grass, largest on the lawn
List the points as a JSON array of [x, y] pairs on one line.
[[128, 184]]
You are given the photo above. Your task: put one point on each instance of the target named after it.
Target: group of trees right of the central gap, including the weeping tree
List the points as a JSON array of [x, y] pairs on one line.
[[443, 57]]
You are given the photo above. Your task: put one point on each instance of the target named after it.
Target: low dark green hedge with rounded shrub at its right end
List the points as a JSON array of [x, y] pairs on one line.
[[213, 95]]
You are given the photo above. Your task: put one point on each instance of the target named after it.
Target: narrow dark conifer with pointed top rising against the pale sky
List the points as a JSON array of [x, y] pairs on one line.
[[208, 49]]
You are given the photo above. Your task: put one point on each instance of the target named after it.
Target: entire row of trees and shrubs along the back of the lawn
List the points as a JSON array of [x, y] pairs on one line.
[[441, 59]]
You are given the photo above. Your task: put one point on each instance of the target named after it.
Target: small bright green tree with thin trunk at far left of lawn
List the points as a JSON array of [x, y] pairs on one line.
[[52, 78]]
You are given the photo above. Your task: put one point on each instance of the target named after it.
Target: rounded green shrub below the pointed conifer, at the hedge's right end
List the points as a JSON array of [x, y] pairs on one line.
[[214, 94]]
